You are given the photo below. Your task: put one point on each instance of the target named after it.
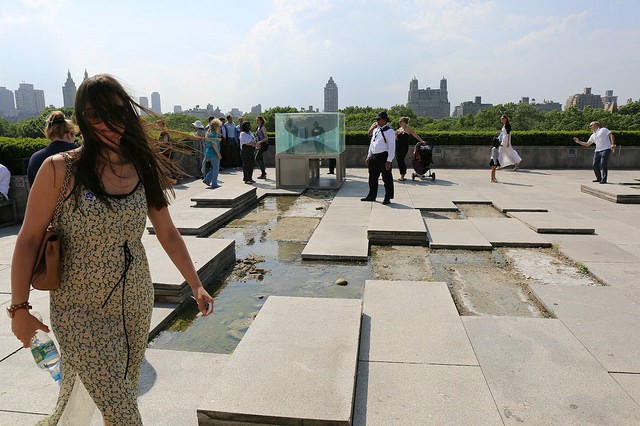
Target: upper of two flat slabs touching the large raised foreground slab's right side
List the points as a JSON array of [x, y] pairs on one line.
[[427, 329]]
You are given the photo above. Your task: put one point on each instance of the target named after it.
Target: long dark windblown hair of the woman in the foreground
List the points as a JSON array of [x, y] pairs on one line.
[[119, 112]]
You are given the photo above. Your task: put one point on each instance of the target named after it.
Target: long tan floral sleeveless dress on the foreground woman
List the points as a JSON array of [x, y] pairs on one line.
[[102, 311]]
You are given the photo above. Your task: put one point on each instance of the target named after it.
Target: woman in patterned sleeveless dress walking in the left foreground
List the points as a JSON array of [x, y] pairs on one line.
[[101, 313]]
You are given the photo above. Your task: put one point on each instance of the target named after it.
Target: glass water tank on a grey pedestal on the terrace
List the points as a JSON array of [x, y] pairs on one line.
[[303, 142]]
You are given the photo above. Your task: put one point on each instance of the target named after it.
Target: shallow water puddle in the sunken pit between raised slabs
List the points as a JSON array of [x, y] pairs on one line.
[[269, 241]]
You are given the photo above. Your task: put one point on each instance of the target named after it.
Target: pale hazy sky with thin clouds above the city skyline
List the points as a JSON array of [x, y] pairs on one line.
[[282, 52]]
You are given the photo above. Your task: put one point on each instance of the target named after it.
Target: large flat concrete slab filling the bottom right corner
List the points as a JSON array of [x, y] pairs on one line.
[[539, 373]]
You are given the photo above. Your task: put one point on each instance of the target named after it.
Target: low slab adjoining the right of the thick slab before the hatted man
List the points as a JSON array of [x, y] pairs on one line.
[[455, 234]]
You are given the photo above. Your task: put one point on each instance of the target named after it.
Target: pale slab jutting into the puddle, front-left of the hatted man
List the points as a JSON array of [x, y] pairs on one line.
[[338, 242]]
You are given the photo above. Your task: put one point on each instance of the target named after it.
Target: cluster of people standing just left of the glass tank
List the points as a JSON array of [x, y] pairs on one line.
[[224, 144]]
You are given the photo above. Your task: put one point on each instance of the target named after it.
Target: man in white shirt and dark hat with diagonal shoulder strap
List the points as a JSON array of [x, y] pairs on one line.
[[382, 149]]
